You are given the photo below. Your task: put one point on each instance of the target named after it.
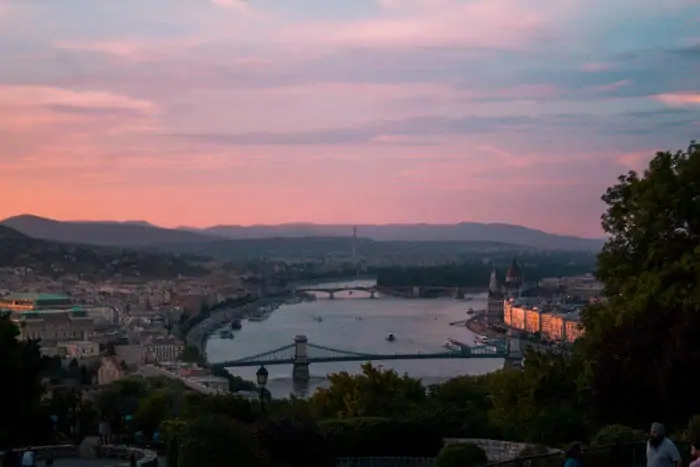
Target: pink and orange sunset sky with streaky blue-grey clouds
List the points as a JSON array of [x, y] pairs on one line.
[[204, 112]]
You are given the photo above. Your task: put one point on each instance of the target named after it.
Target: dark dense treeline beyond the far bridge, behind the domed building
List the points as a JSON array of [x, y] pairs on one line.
[[476, 274]]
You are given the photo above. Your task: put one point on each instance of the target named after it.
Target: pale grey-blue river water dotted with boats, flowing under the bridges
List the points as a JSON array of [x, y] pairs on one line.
[[357, 323]]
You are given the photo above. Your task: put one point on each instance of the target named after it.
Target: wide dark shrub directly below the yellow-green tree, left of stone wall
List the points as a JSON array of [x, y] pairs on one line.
[[379, 437]]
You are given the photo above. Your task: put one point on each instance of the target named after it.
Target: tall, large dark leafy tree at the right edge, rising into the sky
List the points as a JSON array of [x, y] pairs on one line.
[[644, 337]]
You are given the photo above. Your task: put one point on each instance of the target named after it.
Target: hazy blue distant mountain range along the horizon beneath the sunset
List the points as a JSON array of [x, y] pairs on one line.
[[140, 233]]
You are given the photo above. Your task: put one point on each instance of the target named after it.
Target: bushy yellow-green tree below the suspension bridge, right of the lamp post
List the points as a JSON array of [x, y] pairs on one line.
[[374, 392]]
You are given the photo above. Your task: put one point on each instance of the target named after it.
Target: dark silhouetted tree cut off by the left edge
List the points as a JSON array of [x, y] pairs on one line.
[[20, 366]]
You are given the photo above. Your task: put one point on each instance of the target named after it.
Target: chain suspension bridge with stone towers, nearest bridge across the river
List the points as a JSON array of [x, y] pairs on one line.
[[301, 354]]
